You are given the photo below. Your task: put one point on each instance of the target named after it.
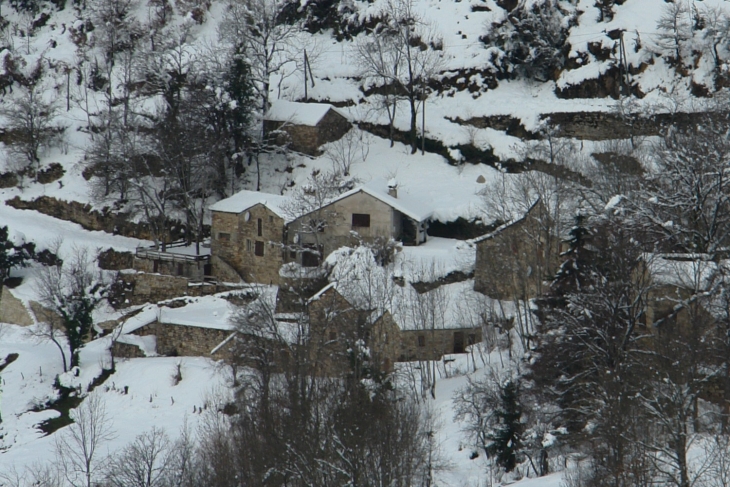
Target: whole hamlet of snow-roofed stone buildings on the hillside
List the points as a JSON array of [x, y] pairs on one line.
[[336, 269]]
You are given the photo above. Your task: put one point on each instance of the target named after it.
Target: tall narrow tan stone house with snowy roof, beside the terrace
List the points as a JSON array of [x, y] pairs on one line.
[[247, 235]]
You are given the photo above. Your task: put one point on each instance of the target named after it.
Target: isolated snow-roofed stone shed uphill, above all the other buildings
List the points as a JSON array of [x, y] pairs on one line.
[[304, 127]]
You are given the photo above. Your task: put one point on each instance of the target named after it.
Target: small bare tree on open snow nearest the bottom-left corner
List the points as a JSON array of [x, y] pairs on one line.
[[78, 446]]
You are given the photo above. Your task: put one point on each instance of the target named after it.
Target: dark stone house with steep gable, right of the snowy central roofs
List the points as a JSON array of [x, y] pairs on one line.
[[514, 261]]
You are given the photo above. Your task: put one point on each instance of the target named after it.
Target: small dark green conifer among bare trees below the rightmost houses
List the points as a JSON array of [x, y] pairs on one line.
[[506, 436]]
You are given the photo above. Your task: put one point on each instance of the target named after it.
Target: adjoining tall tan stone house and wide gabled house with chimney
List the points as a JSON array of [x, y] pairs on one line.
[[254, 234]]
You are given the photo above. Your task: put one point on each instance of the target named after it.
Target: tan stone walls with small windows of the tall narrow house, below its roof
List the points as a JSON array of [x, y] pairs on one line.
[[234, 240]]
